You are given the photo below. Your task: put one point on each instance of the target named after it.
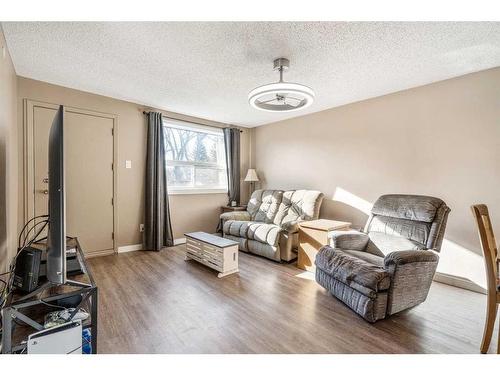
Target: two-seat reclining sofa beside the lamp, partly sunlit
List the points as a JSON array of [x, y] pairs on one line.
[[269, 226]]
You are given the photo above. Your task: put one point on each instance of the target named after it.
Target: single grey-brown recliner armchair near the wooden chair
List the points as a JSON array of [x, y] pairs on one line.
[[390, 266]]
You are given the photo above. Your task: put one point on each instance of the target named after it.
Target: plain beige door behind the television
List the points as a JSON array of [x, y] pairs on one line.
[[89, 173]]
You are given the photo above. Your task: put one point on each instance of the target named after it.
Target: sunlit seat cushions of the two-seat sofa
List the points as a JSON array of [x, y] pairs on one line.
[[252, 230]]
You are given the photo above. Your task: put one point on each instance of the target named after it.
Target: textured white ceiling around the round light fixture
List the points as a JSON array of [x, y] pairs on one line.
[[207, 69]]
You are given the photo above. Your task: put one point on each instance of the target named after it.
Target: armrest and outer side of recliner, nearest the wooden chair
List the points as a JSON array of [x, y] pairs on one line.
[[411, 273]]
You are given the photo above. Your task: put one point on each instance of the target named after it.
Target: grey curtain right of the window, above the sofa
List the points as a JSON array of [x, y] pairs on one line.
[[232, 143]]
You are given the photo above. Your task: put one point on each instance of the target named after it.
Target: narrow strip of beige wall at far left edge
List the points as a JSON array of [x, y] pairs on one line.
[[8, 157]]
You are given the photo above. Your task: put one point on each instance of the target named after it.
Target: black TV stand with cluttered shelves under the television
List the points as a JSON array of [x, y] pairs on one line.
[[31, 308]]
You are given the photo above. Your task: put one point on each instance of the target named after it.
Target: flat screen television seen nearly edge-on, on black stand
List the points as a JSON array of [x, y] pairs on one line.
[[56, 238]]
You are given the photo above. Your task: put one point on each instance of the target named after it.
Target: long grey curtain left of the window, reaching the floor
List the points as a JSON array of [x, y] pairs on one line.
[[157, 226]]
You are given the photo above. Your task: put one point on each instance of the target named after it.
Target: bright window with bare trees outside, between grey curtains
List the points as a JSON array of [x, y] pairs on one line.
[[195, 158]]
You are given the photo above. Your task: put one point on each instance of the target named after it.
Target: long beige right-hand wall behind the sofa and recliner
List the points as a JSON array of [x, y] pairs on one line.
[[441, 139]]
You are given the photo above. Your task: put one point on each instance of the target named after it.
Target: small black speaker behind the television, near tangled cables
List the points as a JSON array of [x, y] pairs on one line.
[[27, 269]]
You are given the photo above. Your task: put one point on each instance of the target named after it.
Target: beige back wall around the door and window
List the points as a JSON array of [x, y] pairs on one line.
[[188, 212]]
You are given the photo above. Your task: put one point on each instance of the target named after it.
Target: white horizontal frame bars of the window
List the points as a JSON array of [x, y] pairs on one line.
[[186, 125]]
